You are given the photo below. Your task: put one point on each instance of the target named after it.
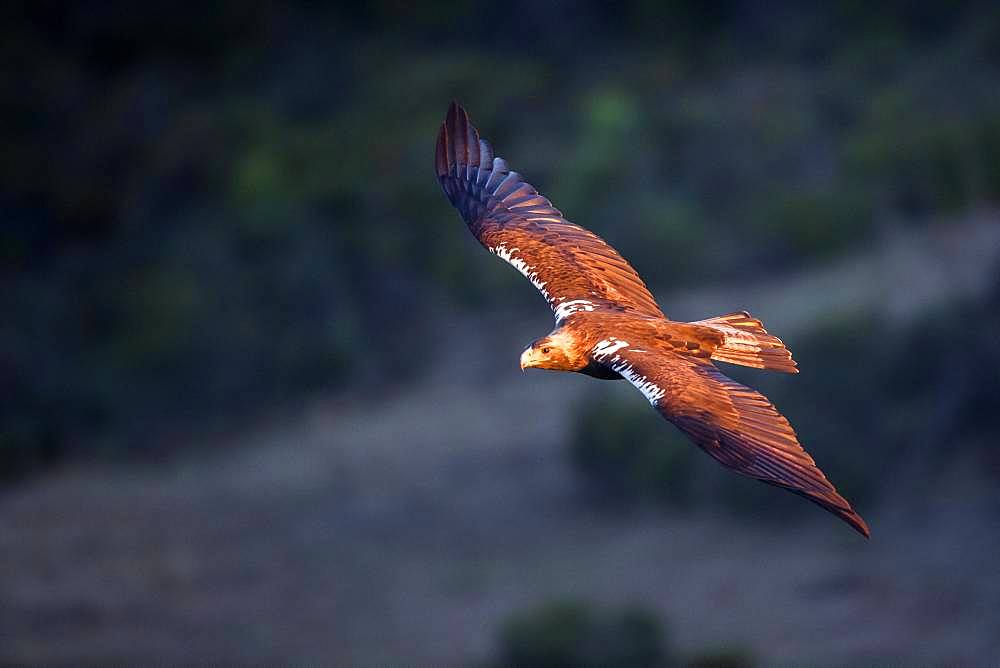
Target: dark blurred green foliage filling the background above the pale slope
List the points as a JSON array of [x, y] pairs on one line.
[[210, 210]]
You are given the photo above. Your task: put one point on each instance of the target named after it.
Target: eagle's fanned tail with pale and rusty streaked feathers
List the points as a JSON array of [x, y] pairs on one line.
[[747, 343]]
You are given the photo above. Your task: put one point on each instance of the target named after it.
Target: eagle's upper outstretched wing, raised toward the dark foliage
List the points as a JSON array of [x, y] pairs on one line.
[[574, 269]]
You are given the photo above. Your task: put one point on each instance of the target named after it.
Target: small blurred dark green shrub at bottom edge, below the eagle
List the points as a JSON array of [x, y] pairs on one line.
[[569, 634]]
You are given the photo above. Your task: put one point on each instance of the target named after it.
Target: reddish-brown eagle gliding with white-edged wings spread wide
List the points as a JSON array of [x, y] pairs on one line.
[[609, 326]]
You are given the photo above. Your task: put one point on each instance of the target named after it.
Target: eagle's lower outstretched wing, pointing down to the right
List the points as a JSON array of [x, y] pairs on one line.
[[733, 423]]
